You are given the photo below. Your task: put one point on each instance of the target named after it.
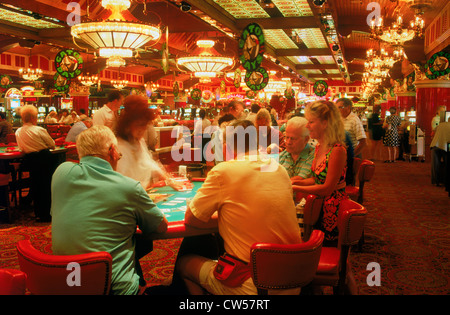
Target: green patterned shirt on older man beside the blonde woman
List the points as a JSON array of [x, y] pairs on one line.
[[301, 167]]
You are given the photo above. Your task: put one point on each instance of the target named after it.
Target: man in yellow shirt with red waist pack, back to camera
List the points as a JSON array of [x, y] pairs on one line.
[[228, 199]]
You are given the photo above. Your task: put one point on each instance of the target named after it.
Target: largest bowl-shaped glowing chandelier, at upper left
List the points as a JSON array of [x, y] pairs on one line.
[[115, 38]]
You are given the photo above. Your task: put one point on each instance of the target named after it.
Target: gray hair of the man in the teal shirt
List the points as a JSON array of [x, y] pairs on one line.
[[95, 141]]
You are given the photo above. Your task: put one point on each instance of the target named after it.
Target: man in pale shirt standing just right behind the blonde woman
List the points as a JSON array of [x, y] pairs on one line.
[[353, 125]]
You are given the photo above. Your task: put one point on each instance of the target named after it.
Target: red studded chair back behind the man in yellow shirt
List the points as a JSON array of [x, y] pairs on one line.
[[281, 266]]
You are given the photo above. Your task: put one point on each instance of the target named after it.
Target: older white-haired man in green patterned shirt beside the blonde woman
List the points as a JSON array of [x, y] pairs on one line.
[[298, 155]]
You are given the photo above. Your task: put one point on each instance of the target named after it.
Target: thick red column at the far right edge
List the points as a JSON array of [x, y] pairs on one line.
[[430, 94]]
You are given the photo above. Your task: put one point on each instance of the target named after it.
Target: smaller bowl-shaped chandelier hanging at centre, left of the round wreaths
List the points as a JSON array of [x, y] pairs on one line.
[[205, 61]]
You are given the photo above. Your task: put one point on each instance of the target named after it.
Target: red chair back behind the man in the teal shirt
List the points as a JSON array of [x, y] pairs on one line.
[[48, 274]]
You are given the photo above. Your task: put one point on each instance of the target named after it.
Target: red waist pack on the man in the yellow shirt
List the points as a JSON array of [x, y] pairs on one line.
[[231, 271]]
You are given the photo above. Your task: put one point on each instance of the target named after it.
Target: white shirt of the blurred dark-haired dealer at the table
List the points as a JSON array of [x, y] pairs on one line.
[[136, 162]]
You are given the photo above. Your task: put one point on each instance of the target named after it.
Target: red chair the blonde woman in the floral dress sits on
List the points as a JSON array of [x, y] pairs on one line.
[[333, 266]]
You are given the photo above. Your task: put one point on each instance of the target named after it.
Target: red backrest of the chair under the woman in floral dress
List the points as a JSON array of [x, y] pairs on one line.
[[351, 220]]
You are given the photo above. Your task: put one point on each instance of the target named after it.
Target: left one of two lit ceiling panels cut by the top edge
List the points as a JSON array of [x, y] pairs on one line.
[[243, 9]]
